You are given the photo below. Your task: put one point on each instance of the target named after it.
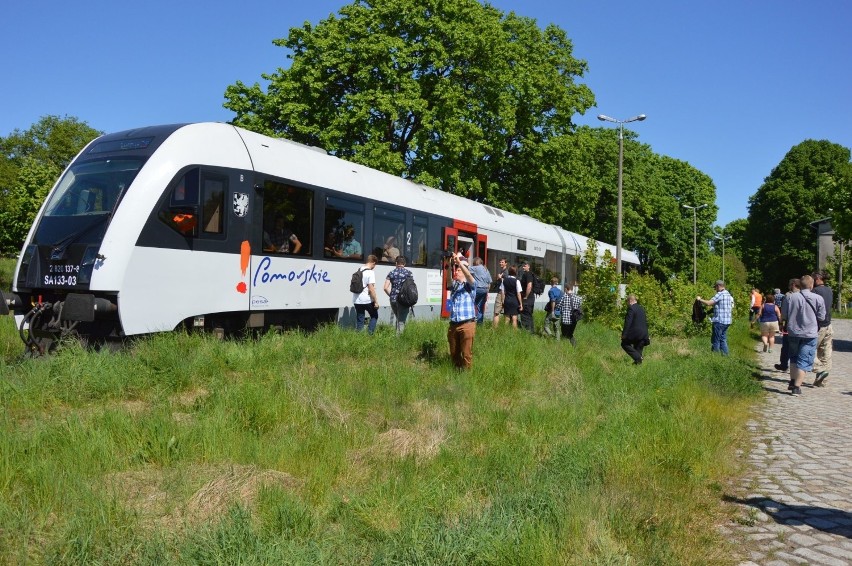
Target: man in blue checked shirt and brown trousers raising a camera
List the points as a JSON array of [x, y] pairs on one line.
[[462, 313]]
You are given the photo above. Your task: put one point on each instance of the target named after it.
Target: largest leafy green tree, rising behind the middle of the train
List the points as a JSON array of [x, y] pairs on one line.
[[455, 95]]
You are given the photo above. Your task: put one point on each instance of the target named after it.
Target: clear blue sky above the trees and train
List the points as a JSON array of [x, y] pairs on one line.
[[728, 86]]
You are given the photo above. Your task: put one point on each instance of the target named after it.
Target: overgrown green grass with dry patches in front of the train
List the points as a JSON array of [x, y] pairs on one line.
[[339, 448]]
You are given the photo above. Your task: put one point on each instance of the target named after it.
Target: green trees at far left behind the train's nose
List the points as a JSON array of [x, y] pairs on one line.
[[30, 162]]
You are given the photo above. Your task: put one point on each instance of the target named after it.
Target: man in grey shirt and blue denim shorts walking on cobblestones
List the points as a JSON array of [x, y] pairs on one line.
[[802, 312]]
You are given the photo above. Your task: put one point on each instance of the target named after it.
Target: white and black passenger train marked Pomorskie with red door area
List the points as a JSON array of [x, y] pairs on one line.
[[208, 226]]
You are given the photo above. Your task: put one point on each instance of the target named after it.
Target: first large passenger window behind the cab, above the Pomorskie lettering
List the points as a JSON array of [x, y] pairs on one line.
[[287, 217]]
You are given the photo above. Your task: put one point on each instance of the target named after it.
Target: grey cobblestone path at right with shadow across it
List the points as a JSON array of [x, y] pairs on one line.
[[794, 506]]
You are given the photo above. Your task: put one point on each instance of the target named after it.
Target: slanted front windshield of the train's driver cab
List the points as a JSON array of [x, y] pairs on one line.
[[92, 188]]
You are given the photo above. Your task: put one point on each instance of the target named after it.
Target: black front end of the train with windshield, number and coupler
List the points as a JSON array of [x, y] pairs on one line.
[[51, 295]]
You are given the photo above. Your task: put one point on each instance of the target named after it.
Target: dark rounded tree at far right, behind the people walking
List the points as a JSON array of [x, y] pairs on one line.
[[780, 239]]
